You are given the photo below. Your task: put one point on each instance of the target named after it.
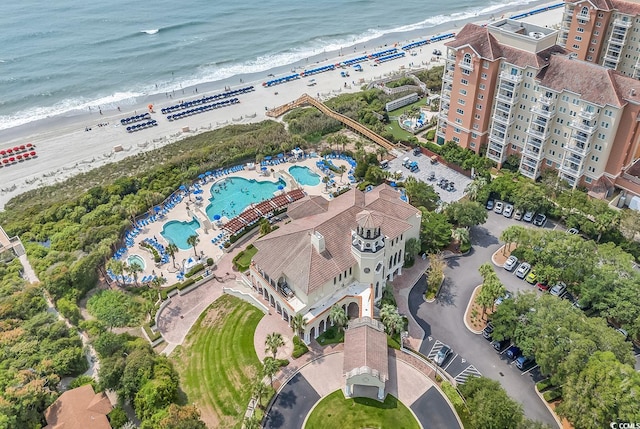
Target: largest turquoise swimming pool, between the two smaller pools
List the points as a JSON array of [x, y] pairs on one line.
[[234, 194]]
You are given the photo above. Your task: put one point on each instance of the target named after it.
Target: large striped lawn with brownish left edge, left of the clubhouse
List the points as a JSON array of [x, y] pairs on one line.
[[218, 363]]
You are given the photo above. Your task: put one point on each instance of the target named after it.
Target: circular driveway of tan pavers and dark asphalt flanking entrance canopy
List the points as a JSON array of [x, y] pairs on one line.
[[324, 375]]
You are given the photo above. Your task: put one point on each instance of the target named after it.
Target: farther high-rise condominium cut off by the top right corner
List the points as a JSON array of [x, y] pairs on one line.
[[605, 32]]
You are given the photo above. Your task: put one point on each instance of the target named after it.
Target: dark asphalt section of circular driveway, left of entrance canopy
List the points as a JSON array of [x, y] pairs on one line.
[[292, 404]]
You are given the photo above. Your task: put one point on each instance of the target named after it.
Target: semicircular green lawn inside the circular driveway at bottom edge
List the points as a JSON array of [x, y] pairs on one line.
[[335, 411]]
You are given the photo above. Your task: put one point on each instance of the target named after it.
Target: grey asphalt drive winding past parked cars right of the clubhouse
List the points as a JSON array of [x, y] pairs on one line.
[[442, 321]]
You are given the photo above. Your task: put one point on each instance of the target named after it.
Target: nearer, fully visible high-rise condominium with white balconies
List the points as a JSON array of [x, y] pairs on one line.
[[508, 88]]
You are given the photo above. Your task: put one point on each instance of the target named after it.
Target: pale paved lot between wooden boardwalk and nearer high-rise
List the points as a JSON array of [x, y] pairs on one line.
[[425, 168]]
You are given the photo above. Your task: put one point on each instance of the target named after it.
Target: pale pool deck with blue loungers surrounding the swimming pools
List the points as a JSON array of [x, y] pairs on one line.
[[185, 210]]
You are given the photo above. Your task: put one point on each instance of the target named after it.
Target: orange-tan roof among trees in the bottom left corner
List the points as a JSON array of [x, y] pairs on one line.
[[79, 408]]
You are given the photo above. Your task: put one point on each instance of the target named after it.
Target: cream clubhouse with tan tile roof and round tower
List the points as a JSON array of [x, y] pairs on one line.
[[338, 252]]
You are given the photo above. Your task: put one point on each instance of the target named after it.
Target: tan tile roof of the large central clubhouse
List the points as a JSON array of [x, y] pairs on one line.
[[288, 250]]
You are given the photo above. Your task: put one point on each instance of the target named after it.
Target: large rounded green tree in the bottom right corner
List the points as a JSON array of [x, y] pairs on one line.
[[603, 391]]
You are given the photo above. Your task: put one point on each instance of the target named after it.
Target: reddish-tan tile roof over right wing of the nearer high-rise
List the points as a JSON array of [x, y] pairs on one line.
[[593, 82]]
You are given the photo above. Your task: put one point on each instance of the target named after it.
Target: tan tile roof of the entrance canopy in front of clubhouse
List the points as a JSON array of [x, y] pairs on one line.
[[365, 345]]
